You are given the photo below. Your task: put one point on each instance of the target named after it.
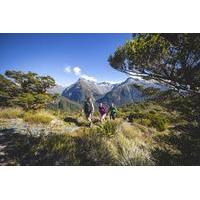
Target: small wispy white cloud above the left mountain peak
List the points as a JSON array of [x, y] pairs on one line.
[[78, 72]]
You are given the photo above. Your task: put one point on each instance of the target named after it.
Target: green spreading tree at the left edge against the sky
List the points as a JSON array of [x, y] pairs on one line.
[[28, 90]]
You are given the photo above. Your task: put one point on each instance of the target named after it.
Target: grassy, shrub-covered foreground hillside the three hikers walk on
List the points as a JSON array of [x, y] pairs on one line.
[[153, 132]]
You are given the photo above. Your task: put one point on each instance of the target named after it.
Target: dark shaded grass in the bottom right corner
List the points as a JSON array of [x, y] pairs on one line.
[[186, 144]]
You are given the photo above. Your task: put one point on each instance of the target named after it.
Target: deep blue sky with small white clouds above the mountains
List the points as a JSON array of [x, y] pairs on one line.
[[65, 57]]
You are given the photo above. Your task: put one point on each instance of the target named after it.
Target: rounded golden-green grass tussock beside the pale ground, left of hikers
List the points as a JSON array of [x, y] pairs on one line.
[[42, 117]]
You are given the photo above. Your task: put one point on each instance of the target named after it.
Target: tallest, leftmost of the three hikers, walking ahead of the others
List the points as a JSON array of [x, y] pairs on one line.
[[89, 109]]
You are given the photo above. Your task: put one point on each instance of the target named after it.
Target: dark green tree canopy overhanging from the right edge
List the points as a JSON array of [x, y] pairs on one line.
[[170, 58]]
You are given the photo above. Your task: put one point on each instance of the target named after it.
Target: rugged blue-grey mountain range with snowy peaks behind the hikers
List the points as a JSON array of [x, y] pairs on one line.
[[129, 91]]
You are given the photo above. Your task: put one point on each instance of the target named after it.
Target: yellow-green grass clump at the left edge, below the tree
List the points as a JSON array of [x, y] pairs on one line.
[[11, 113]]
